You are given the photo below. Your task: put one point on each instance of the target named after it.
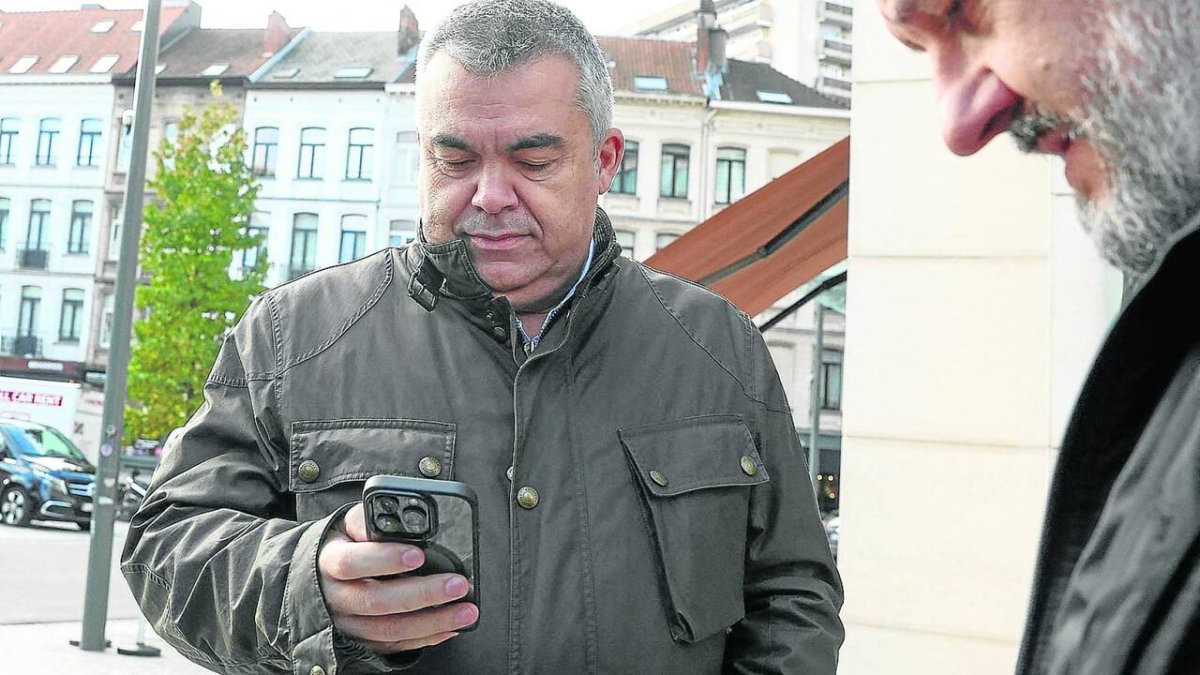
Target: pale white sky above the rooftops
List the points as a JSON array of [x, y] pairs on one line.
[[603, 17]]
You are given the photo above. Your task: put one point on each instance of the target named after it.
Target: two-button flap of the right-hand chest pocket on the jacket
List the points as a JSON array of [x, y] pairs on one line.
[[695, 453]]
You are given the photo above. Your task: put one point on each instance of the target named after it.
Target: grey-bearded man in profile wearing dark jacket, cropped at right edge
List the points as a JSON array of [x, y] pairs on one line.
[[1114, 88]]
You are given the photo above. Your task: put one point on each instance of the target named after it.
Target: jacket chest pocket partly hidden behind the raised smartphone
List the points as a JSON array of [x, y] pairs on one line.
[[332, 459]]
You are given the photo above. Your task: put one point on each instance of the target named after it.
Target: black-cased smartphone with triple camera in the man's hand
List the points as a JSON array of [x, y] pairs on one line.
[[437, 516]]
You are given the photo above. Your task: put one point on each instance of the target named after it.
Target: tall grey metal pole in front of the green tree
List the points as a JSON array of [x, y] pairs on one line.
[[100, 555]]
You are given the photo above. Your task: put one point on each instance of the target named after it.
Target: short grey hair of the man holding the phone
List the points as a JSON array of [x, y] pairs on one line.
[[490, 38]]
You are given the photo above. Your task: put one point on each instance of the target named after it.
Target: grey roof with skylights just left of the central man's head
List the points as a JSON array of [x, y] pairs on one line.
[[319, 58]]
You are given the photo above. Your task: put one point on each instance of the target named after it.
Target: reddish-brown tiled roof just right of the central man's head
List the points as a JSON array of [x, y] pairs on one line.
[[640, 57]]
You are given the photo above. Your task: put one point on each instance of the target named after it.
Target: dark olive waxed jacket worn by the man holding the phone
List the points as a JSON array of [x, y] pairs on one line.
[[718, 564]]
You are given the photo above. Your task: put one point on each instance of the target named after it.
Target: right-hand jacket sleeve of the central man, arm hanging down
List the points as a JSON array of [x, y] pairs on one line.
[[793, 589]]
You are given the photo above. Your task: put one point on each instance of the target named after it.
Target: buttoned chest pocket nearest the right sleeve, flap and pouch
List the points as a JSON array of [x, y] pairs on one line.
[[695, 479]]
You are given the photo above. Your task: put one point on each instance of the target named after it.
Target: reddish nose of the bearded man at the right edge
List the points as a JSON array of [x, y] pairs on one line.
[[977, 106]]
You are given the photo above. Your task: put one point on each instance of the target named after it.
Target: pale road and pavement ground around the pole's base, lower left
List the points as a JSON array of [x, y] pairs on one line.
[[43, 576]]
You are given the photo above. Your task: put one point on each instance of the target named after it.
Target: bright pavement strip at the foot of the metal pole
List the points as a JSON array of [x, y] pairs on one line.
[[44, 649]]
